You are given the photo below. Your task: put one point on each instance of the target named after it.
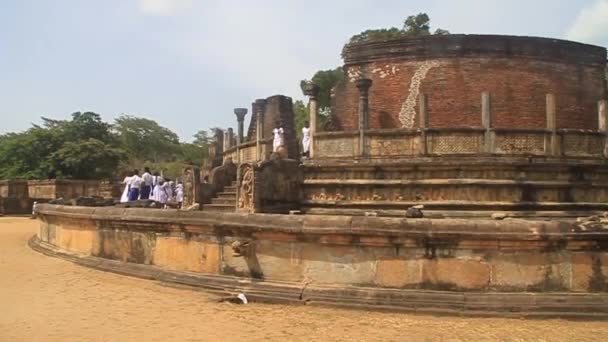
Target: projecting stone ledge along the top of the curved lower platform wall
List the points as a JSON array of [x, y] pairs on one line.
[[324, 228]]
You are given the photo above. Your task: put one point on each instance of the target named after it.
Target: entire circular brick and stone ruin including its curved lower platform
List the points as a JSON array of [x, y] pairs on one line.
[[472, 127]]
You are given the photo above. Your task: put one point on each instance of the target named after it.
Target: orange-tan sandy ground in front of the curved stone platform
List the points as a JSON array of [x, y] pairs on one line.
[[47, 299]]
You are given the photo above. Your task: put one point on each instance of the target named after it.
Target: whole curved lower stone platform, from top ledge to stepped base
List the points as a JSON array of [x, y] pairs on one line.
[[511, 267]]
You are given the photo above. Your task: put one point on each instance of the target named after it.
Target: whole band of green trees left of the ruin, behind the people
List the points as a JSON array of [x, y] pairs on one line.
[[86, 147]]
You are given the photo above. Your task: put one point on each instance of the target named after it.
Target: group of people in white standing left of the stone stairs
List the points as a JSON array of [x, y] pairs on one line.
[[153, 187]]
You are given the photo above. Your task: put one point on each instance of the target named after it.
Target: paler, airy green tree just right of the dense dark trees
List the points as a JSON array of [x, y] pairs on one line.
[[146, 140]]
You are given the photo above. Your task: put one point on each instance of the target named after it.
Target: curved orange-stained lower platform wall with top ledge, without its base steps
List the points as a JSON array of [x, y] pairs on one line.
[[446, 254]]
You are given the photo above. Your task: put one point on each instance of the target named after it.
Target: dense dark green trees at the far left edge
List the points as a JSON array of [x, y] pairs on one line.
[[83, 147]]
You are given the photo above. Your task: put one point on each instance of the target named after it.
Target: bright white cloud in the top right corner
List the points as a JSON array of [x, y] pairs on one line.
[[591, 24]]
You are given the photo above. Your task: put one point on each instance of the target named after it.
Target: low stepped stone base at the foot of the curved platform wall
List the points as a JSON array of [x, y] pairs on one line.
[[567, 305]]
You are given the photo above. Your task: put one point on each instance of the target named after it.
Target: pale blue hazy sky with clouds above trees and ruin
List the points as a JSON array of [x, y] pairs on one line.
[[188, 63]]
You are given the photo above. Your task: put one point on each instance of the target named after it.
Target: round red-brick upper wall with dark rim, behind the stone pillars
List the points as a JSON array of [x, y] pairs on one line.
[[454, 70]]
